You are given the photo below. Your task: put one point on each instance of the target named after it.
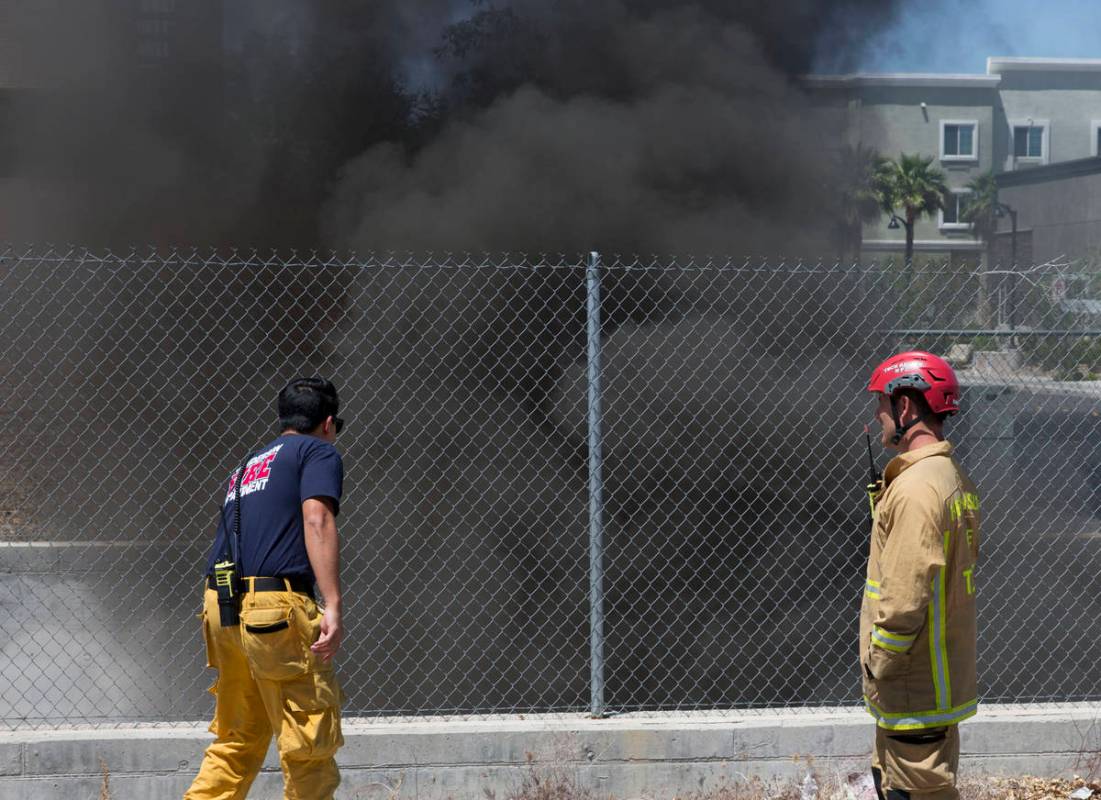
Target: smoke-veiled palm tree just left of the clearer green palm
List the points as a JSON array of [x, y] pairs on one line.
[[858, 184]]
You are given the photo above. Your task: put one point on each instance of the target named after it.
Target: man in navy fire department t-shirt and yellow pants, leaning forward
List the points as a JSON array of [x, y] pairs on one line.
[[276, 667]]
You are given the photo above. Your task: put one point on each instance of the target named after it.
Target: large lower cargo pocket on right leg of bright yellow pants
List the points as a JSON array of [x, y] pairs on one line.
[[311, 718]]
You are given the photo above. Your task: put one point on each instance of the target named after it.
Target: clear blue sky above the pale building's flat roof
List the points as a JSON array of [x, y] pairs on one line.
[[958, 36]]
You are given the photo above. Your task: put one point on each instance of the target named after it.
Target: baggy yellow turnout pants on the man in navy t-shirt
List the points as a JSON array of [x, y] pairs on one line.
[[269, 683]]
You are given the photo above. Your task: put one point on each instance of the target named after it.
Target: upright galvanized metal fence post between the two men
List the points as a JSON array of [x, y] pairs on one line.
[[596, 487]]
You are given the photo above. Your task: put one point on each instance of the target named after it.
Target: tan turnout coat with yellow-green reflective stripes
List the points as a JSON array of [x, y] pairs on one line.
[[918, 622]]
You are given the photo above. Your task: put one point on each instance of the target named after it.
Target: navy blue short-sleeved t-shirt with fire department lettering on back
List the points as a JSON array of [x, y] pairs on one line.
[[277, 481]]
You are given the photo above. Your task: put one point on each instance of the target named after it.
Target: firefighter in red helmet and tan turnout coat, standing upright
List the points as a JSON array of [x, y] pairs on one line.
[[918, 621]]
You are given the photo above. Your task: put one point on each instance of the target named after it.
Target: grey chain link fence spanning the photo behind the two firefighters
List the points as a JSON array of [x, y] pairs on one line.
[[720, 487]]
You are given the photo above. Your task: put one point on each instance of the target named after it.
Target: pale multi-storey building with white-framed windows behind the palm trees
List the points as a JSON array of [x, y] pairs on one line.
[[1024, 113]]
